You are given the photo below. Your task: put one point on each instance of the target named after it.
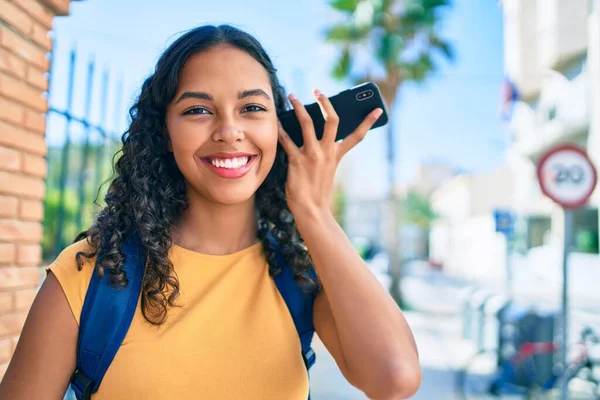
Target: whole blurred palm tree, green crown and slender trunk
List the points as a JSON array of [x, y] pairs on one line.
[[402, 42]]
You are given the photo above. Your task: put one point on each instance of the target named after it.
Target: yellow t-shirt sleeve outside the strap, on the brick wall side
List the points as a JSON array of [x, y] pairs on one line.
[[74, 282]]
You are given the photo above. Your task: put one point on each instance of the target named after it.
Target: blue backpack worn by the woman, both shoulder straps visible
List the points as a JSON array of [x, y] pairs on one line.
[[108, 311]]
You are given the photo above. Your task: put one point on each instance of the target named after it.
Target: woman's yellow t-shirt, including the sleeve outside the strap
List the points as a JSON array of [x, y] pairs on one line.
[[232, 338]]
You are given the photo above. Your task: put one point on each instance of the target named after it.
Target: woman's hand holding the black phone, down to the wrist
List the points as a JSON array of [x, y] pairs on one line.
[[312, 167]]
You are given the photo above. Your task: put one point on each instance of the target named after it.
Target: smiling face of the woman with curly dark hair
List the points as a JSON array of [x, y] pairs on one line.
[[222, 125]]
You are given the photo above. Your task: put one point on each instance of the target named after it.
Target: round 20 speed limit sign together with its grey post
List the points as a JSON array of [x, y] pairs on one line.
[[567, 177]]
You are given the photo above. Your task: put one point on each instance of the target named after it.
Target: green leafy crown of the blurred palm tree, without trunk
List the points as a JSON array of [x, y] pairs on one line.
[[402, 36]]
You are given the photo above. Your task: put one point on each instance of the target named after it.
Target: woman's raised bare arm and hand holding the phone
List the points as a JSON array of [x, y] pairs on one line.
[[357, 320]]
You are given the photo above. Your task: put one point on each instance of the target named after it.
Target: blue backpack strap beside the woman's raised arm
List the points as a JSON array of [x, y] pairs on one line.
[[300, 305]]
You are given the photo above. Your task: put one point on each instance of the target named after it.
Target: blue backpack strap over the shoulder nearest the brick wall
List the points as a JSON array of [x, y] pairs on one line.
[[105, 318]]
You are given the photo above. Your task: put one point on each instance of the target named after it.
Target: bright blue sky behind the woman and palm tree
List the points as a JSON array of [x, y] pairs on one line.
[[453, 117]]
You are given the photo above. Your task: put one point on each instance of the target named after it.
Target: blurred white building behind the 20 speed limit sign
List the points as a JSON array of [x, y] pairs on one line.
[[552, 56]]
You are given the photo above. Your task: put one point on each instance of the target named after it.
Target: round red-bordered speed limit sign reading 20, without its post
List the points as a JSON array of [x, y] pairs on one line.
[[567, 176]]
